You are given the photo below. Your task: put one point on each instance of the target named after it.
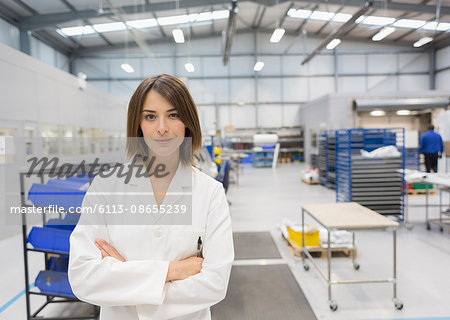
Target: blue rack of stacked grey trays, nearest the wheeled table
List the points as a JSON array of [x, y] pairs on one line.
[[377, 183]]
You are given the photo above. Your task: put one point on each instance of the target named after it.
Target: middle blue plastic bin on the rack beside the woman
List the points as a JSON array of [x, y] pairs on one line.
[[50, 239]]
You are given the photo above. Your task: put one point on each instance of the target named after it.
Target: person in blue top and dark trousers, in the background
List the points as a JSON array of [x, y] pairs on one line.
[[431, 146]]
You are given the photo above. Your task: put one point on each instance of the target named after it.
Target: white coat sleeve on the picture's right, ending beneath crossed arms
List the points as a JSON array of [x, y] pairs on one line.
[[210, 285]]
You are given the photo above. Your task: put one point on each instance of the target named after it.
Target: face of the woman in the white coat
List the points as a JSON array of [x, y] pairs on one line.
[[161, 125]]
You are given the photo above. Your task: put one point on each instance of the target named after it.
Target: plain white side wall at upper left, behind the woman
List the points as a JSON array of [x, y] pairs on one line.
[[35, 92]]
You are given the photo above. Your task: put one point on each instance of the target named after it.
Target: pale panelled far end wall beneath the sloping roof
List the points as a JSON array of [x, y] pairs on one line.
[[283, 83]]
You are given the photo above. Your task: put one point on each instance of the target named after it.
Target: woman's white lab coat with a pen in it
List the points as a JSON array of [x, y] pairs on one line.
[[136, 289]]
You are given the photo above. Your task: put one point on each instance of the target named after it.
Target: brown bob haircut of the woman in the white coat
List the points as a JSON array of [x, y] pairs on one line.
[[175, 92]]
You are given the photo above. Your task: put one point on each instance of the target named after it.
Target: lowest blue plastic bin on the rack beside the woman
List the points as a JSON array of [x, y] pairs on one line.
[[54, 282]]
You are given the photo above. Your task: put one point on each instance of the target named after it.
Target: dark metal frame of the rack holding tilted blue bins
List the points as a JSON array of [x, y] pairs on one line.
[[50, 297]]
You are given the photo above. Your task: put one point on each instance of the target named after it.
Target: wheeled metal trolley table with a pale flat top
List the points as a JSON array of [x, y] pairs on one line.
[[349, 216]]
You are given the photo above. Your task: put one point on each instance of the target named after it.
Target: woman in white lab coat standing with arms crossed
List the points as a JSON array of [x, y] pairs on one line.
[[156, 271]]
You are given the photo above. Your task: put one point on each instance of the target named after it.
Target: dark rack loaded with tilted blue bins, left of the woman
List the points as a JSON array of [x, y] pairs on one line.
[[52, 239]]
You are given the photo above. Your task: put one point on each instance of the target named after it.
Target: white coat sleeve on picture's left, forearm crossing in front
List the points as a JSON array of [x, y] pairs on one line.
[[108, 281]]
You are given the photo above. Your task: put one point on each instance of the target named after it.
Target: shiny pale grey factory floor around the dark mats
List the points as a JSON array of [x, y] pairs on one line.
[[260, 199]]
